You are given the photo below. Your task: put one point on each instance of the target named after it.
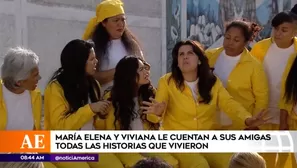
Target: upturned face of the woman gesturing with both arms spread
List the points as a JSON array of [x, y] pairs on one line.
[[187, 59]]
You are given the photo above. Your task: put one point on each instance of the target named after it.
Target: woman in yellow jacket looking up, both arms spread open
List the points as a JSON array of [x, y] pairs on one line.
[[188, 98]]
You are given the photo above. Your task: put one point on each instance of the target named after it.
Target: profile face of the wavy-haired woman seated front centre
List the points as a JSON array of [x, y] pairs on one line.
[[143, 73]]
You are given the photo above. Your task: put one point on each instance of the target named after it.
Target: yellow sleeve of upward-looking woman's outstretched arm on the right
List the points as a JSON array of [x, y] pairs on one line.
[[232, 108]]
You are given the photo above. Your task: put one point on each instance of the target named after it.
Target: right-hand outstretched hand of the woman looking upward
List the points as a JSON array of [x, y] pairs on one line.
[[258, 120]]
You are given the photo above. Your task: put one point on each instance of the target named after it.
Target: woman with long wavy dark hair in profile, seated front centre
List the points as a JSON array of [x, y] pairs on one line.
[[131, 86]]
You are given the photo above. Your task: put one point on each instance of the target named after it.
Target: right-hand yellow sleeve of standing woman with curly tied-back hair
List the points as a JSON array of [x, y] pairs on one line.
[[260, 88]]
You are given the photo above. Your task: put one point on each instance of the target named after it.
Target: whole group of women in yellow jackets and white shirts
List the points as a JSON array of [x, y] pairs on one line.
[[104, 83]]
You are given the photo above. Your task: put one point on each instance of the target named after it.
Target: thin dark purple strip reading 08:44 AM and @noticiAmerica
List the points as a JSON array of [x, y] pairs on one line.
[[26, 157]]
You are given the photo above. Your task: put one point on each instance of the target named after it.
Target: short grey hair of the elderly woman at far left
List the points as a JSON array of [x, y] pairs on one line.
[[18, 64]]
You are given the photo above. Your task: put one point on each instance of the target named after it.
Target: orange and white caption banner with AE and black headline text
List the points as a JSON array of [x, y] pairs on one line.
[[148, 141]]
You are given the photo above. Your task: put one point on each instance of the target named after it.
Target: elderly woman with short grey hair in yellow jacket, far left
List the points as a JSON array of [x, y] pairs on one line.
[[20, 100]]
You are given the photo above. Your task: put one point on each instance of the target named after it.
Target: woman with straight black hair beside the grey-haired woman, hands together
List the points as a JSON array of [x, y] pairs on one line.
[[72, 99]]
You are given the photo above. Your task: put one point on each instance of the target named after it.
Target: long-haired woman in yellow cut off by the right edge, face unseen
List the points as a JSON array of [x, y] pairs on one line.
[[288, 101]]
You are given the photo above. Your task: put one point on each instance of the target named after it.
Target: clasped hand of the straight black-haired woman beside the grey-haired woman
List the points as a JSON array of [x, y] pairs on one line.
[[100, 108]]
